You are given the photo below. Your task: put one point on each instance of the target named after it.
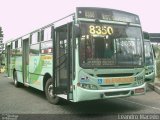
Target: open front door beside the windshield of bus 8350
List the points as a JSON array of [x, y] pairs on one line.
[[63, 60]]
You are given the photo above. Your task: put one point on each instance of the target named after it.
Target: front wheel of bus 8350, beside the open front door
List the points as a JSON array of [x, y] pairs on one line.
[[49, 92]]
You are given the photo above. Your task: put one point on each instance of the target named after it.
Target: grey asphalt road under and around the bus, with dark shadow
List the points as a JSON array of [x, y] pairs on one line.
[[32, 102]]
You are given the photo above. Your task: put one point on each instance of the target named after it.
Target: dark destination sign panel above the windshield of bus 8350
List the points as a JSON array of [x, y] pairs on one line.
[[107, 14]]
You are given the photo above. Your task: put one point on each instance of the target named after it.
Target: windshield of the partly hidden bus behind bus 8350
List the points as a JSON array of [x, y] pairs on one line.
[[148, 53]]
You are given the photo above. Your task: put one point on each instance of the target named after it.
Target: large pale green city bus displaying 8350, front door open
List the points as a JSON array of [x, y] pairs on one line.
[[91, 54]]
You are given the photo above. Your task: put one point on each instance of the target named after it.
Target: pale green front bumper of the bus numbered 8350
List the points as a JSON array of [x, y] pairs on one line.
[[85, 94]]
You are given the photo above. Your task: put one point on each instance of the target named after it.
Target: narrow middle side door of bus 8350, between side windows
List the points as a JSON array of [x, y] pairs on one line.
[[25, 59]]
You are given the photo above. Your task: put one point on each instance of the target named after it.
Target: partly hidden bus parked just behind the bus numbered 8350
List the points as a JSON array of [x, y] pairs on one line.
[[149, 58]]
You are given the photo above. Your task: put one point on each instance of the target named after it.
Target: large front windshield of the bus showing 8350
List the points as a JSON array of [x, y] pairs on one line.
[[110, 45]]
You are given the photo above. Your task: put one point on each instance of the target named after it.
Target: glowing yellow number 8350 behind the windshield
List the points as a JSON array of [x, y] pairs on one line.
[[100, 30]]
